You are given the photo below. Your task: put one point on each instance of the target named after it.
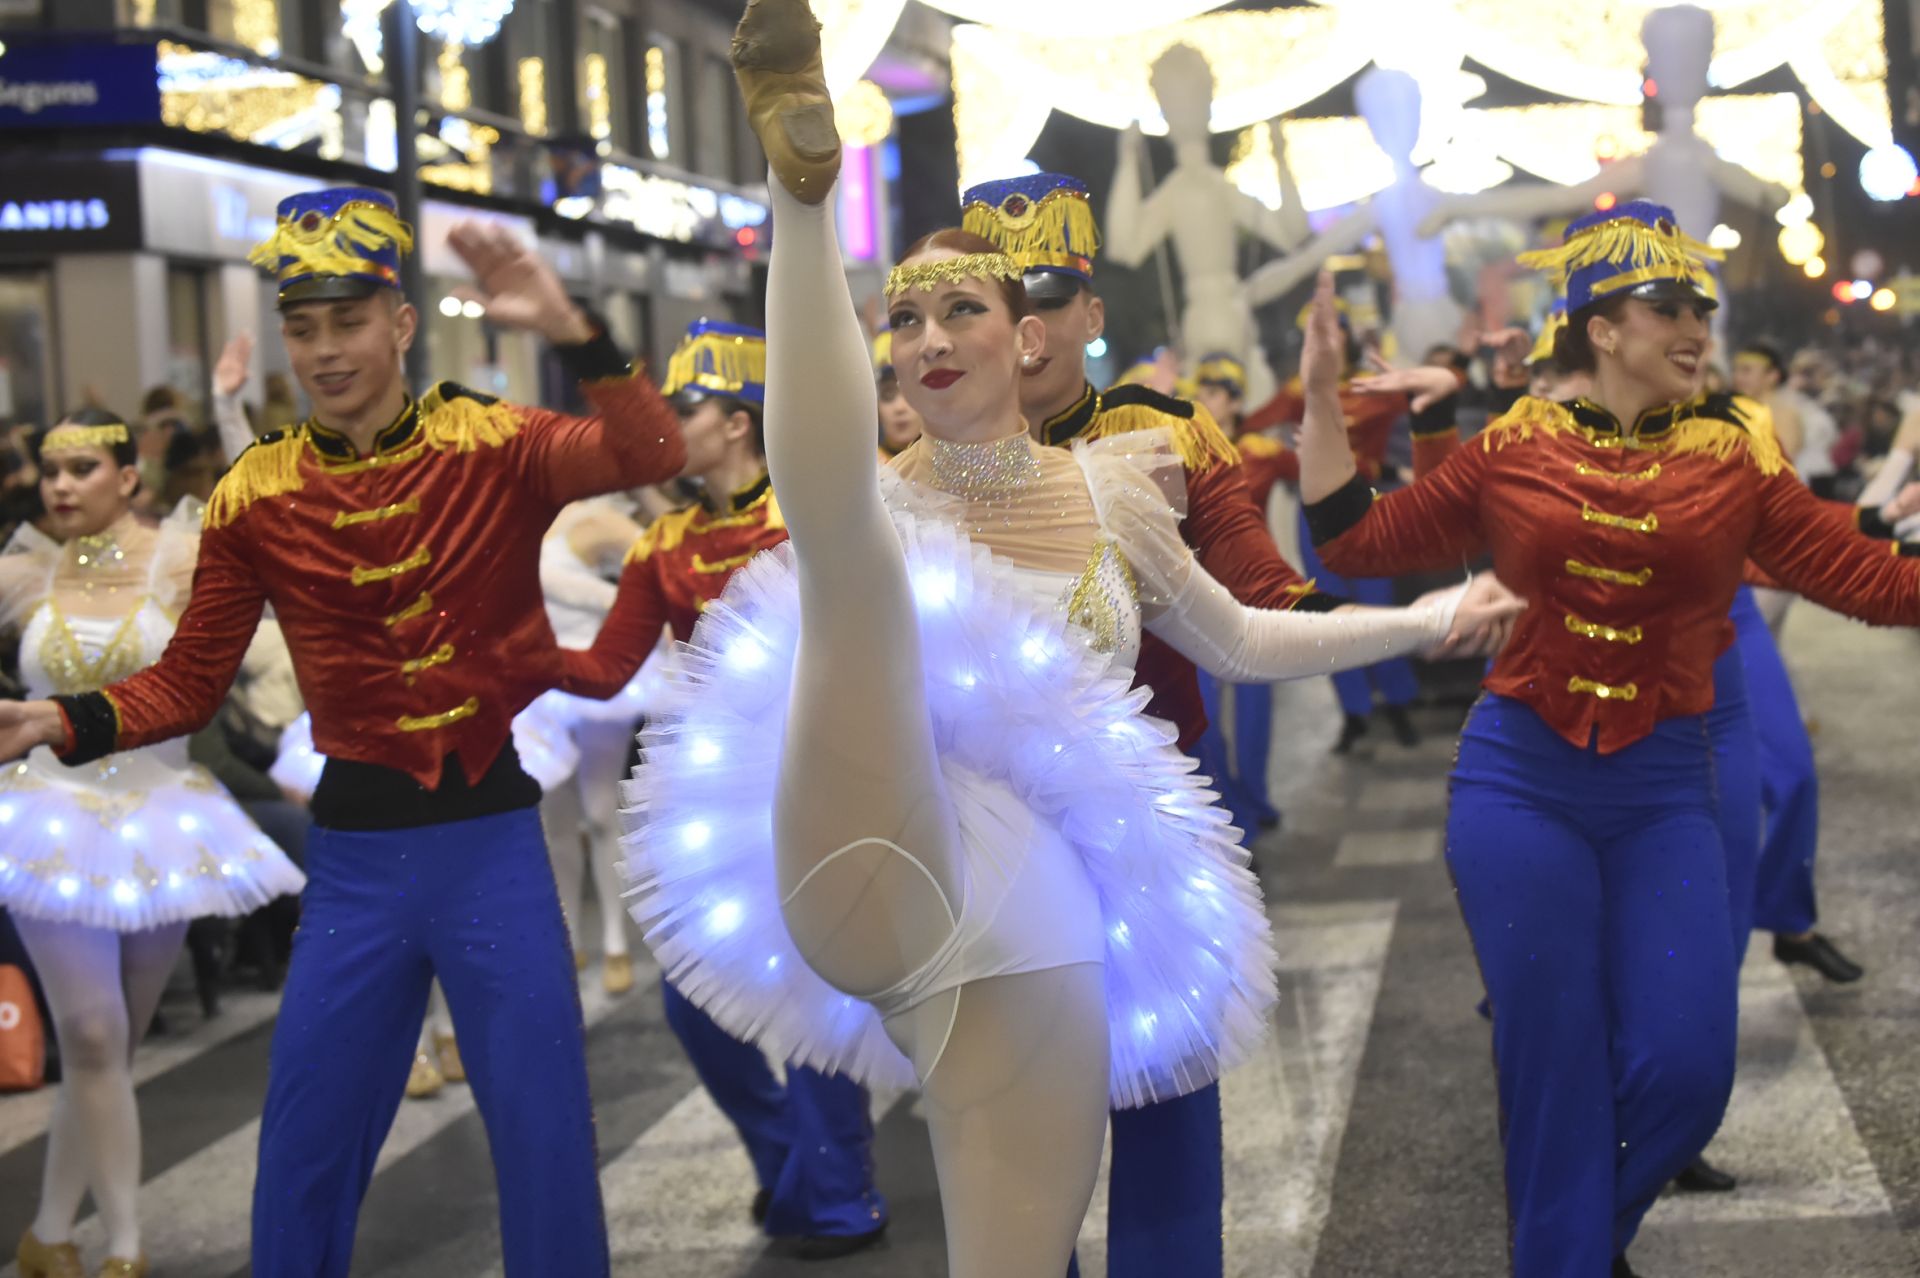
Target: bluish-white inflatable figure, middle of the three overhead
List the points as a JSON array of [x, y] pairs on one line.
[[1424, 312]]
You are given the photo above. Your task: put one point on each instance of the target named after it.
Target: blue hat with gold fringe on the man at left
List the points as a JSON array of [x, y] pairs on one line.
[[333, 245]]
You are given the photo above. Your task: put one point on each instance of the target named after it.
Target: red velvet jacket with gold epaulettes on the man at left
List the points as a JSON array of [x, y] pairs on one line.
[[406, 582]]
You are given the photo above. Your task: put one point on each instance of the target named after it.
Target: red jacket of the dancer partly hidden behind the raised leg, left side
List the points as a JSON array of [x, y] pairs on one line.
[[679, 567]]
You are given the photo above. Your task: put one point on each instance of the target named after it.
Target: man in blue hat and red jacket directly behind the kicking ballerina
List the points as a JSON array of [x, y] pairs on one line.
[[1164, 1198]]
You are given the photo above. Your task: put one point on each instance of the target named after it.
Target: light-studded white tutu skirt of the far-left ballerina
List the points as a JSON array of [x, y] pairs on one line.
[[132, 841]]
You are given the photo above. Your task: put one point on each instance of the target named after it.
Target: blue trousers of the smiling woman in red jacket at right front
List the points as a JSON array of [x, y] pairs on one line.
[[1595, 889]]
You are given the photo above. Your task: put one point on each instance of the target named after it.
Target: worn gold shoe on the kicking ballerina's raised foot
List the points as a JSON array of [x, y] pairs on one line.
[[777, 62]]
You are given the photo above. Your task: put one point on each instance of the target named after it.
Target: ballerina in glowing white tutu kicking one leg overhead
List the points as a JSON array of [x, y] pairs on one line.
[[907, 820]]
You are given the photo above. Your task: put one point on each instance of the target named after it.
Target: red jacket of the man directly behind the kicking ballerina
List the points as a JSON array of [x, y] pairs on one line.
[[1226, 531]]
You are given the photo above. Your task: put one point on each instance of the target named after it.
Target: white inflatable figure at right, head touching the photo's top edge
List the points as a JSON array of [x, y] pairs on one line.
[[1681, 170]]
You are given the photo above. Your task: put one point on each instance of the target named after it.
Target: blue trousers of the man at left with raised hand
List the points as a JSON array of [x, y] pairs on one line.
[[473, 905]]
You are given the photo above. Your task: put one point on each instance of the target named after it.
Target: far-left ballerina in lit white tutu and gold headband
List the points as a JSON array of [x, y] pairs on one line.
[[105, 866]]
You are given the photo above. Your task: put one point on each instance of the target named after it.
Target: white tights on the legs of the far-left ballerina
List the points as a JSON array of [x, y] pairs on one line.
[[103, 989]]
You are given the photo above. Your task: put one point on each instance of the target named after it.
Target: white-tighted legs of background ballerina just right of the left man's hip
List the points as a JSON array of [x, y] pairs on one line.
[[583, 822]]
